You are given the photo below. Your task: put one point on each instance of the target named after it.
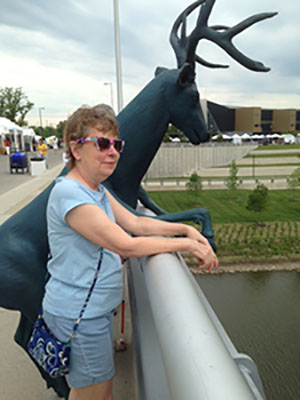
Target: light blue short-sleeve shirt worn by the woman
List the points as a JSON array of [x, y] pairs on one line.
[[74, 259]]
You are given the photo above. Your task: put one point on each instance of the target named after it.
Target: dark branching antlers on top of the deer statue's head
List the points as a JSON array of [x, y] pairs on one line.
[[185, 46]]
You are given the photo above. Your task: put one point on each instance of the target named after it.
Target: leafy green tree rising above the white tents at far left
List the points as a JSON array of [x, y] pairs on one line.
[[14, 105]]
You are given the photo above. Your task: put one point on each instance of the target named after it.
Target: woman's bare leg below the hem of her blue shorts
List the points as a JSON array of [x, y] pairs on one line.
[[99, 391]]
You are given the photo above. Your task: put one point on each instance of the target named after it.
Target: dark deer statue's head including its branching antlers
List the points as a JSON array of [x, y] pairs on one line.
[[191, 121]]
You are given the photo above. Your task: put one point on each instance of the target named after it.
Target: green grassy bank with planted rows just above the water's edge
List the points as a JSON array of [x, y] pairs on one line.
[[237, 236]]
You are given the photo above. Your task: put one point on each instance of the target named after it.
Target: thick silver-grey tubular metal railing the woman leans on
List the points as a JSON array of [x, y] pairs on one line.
[[182, 350]]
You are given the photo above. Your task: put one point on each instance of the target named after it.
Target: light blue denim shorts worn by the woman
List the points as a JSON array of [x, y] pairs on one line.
[[91, 348]]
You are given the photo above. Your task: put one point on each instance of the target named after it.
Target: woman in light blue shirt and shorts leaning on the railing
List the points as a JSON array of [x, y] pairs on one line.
[[83, 218]]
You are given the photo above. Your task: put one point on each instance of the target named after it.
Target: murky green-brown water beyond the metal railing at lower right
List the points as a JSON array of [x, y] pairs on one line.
[[261, 313]]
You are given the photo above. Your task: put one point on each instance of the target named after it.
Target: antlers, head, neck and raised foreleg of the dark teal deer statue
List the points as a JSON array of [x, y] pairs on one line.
[[172, 97]]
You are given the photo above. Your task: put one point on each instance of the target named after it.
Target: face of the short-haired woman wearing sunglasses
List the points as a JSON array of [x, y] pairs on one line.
[[97, 164]]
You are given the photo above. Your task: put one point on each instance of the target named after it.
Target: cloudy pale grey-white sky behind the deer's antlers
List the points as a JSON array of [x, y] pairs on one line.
[[61, 52]]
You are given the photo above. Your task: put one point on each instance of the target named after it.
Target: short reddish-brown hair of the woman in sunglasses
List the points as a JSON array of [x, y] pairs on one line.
[[80, 122]]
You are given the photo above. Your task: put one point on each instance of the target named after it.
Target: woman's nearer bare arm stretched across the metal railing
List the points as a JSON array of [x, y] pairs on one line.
[[92, 223]]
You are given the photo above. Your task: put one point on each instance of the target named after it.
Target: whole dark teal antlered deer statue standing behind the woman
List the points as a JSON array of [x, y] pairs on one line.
[[171, 97]]
